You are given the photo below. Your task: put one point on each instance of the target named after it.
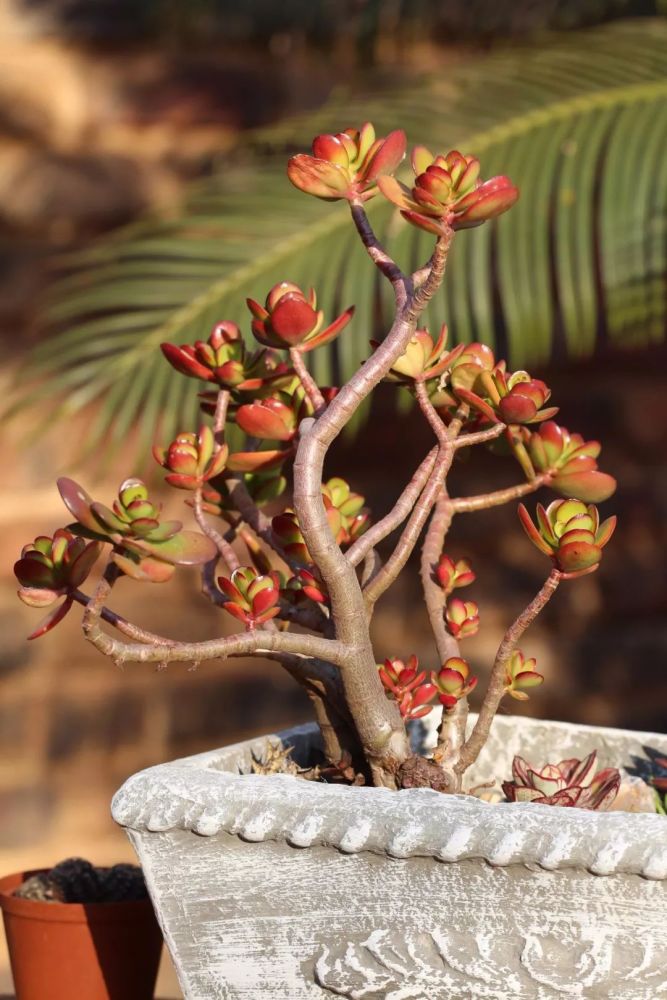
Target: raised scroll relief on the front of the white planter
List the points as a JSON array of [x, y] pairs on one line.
[[566, 961]]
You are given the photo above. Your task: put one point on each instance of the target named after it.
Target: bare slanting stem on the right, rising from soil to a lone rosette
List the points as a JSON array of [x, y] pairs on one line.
[[497, 682]]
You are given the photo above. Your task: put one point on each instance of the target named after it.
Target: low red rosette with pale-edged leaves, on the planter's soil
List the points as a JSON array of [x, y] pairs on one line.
[[570, 783]]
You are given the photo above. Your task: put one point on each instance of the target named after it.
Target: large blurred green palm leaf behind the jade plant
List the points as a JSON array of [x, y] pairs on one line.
[[579, 123]]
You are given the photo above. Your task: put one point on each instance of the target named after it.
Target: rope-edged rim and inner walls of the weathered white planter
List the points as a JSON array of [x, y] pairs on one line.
[[207, 795]]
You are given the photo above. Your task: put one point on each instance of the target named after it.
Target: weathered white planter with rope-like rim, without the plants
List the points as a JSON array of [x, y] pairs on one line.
[[273, 888]]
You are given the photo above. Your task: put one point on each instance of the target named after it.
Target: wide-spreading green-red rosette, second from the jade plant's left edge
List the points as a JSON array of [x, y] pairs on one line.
[[145, 548]]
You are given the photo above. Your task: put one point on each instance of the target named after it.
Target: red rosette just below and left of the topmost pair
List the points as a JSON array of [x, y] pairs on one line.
[[291, 319]]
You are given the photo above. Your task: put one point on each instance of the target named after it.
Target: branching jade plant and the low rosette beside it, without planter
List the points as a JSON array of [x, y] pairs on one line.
[[281, 544]]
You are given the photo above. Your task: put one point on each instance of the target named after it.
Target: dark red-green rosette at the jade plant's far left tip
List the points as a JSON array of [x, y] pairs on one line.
[[50, 568]]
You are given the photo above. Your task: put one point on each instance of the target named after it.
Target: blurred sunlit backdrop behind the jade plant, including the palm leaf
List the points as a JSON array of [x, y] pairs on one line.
[[142, 197]]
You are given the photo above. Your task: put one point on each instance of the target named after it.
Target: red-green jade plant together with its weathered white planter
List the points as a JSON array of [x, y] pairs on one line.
[[455, 871]]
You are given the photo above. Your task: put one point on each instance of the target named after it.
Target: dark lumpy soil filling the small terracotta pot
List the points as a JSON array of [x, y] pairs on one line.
[[77, 881]]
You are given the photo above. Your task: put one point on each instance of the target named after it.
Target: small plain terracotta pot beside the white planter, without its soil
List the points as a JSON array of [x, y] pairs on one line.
[[80, 951]]
